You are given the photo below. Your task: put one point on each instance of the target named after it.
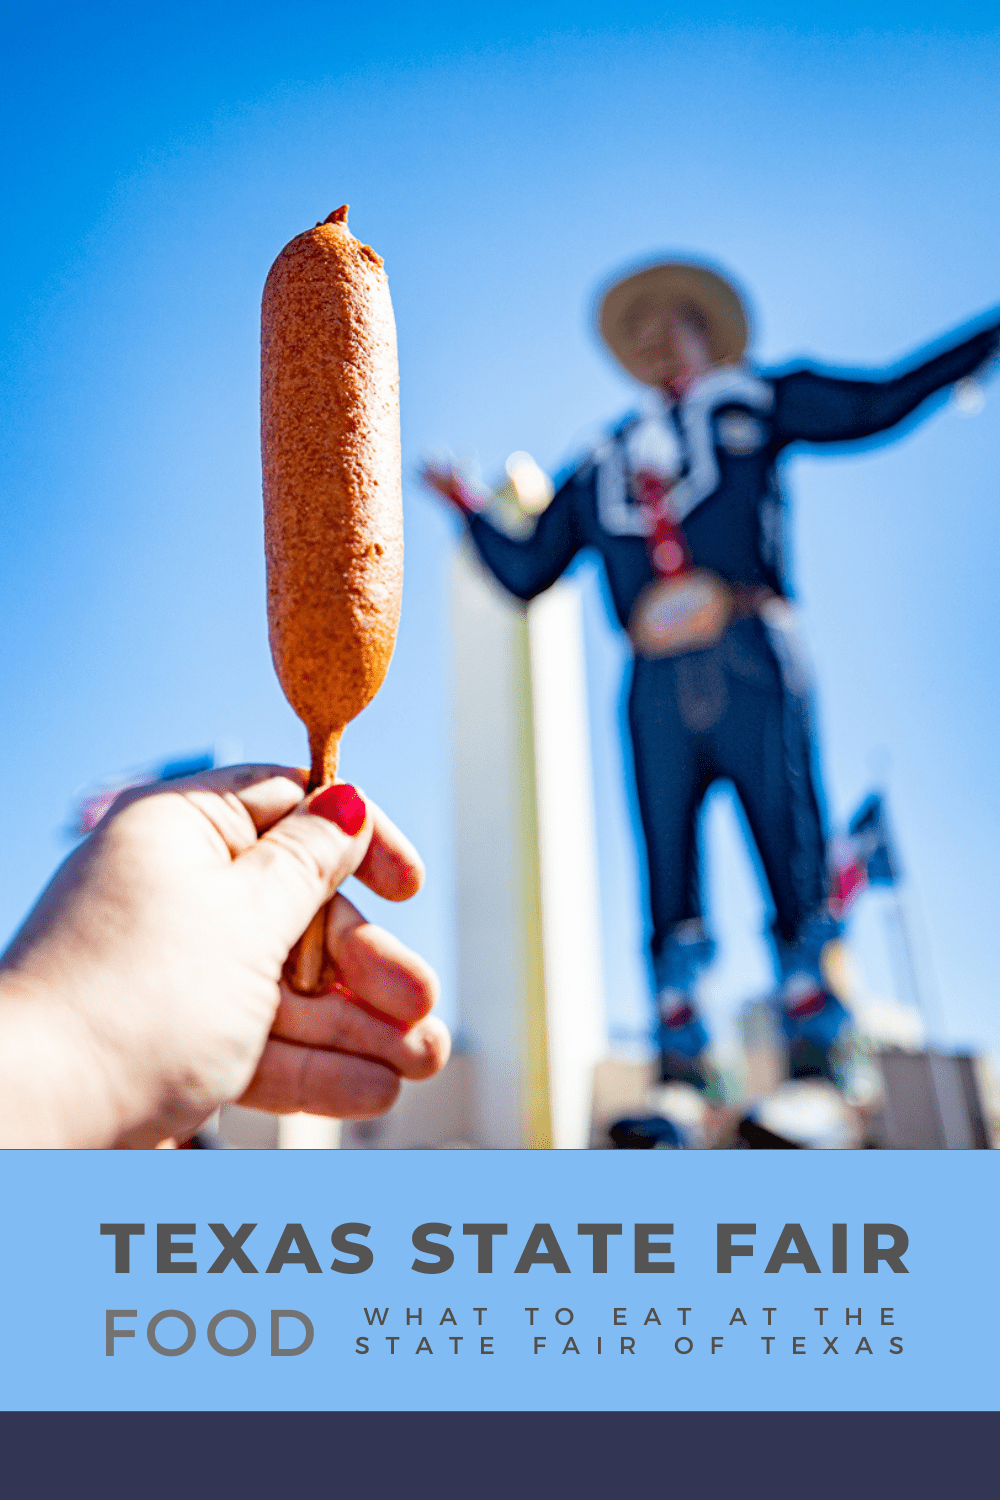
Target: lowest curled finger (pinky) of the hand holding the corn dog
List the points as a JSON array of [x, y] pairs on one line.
[[295, 1079]]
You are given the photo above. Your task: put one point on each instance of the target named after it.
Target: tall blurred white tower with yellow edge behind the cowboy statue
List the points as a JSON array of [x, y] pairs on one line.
[[528, 913]]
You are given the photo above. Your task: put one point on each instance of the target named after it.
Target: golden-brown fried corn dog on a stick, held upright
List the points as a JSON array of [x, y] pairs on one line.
[[334, 524]]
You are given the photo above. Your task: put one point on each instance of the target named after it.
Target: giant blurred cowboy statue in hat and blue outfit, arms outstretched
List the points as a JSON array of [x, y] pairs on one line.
[[686, 509]]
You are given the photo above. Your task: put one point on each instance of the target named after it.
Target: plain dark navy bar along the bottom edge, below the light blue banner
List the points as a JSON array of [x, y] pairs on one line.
[[590, 1454]]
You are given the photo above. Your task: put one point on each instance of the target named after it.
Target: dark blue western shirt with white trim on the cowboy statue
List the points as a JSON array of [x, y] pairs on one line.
[[729, 434]]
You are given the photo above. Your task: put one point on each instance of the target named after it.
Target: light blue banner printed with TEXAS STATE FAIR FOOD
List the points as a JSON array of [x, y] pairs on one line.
[[635, 1337]]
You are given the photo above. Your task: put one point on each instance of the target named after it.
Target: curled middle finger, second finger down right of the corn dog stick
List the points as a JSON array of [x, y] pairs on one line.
[[377, 967]]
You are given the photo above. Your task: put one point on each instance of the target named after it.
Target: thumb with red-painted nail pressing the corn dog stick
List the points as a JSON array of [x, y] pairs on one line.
[[301, 862]]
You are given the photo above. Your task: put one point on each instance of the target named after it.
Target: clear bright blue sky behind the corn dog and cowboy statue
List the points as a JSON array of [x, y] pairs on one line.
[[503, 163]]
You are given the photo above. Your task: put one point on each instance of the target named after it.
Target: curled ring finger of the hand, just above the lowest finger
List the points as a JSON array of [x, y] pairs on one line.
[[335, 1024]]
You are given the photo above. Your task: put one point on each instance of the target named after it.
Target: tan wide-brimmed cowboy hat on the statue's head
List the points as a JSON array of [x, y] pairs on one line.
[[689, 289]]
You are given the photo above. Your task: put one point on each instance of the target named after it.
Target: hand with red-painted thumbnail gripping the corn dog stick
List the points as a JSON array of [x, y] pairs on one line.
[[145, 989]]
